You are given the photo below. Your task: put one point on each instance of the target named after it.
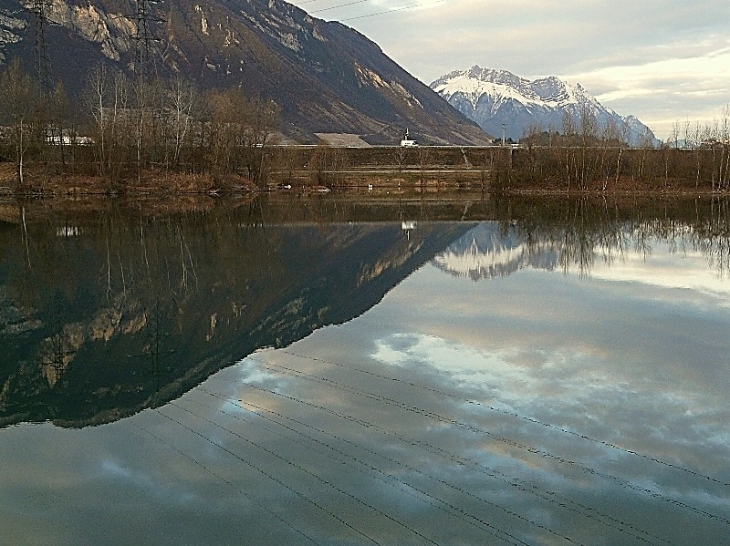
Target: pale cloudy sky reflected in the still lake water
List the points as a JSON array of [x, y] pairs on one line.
[[528, 408]]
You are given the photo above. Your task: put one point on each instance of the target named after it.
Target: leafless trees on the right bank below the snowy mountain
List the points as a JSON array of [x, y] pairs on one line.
[[584, 157]]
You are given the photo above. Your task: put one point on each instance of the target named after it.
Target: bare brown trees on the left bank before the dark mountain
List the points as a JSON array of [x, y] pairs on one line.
[[123, 126]]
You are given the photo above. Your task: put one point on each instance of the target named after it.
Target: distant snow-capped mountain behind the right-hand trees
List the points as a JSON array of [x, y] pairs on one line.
[[497, 100]]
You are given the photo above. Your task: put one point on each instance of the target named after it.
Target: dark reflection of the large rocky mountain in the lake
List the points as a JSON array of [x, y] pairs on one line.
[[103, 316]]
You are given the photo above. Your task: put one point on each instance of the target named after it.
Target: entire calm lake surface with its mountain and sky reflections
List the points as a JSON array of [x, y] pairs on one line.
[[330, 372]]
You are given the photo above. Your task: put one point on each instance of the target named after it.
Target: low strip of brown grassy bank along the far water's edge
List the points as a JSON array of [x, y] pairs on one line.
[[381, 182]]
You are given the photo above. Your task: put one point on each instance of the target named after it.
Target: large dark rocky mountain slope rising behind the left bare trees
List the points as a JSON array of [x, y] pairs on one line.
[[326, 77]]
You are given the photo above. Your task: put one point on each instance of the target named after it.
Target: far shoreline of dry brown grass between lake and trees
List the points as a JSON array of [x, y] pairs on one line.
[[380, 178]]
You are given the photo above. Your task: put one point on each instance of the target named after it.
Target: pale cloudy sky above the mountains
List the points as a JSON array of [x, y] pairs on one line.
[[660, 60]]
